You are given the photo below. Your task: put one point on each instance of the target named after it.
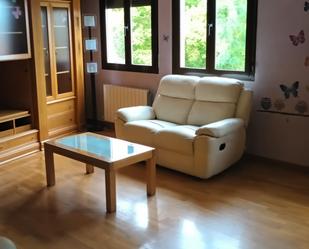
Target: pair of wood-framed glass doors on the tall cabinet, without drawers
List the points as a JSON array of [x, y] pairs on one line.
[[57, 50]]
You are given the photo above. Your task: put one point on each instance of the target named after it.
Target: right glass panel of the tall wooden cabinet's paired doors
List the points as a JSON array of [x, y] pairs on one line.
[[62, 49]]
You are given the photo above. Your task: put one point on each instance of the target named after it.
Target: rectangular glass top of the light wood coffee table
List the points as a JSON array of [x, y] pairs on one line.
[[110, 149]]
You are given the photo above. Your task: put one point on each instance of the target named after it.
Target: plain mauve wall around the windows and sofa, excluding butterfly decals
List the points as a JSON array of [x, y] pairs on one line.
[[276, 136]]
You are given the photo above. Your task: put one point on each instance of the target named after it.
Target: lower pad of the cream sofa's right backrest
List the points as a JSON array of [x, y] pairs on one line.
[[203, 112]]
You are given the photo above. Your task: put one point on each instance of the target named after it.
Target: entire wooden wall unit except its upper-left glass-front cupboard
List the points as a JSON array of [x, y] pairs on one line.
[[43, 96]]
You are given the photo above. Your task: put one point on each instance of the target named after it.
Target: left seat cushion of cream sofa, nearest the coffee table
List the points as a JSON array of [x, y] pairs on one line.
[[142, 131]]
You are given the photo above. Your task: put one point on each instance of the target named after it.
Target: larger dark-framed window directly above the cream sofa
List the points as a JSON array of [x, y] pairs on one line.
[[214, 37]]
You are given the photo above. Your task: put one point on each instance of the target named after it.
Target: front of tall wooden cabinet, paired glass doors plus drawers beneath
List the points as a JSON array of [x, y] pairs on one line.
[[59, 70]]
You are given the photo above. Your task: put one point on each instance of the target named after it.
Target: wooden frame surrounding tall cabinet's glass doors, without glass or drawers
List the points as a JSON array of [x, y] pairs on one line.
[[77, 65]]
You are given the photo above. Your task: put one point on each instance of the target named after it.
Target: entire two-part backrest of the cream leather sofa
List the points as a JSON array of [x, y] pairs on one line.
[[199, 101]]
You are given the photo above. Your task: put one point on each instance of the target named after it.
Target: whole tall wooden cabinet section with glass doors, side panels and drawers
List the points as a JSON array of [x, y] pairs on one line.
[[59, 67]]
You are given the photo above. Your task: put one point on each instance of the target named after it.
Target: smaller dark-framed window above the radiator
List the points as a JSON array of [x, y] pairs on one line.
[[130, 35]]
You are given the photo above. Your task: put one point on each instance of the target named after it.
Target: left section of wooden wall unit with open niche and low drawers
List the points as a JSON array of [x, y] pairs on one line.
[[18, 130]]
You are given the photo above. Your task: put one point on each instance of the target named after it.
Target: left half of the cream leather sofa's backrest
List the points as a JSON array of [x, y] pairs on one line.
[[175, 97]]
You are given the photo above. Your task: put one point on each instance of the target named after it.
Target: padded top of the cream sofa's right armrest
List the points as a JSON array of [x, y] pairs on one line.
[[221, 128]]
